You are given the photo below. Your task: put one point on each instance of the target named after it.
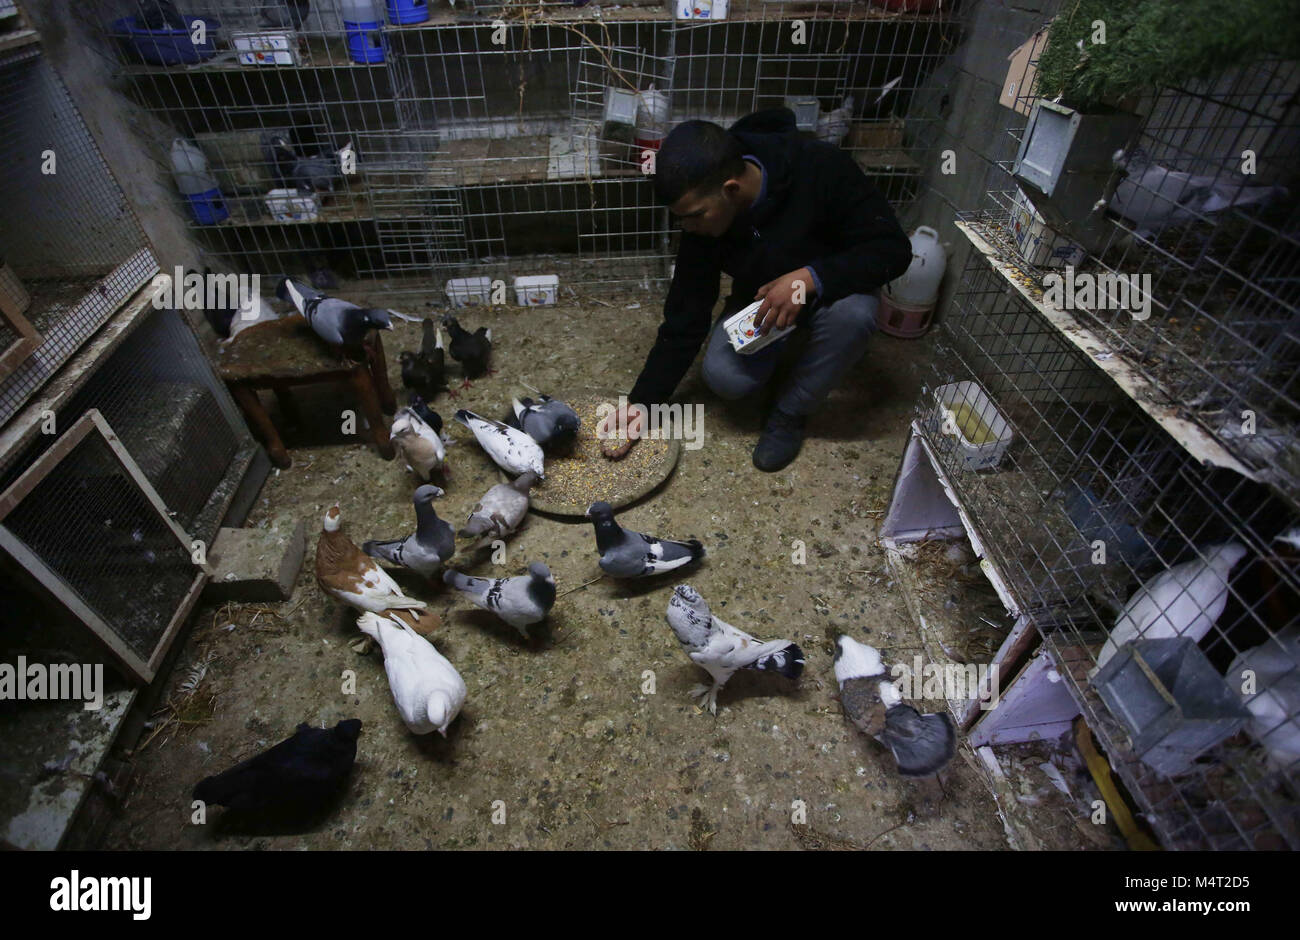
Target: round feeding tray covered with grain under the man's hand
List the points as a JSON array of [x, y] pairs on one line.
[[586, 477]]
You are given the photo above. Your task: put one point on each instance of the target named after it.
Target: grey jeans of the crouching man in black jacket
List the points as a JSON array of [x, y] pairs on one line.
[[839, 337]]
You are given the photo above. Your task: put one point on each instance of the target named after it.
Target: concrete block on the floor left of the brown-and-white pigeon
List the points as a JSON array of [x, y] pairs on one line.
[[254, 566]]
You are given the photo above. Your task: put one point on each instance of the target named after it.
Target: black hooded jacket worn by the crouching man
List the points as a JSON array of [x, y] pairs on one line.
[[820, 210]]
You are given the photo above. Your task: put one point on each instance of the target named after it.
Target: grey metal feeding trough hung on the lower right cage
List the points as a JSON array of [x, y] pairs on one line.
[[1171, 700]]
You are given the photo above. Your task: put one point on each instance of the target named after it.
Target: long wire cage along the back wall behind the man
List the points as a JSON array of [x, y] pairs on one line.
[[475, 131]]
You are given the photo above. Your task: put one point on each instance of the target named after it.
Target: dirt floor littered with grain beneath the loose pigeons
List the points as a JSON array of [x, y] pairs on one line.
[[561, 731]]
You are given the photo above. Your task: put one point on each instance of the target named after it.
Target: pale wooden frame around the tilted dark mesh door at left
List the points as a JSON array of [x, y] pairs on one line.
[[93, 422]]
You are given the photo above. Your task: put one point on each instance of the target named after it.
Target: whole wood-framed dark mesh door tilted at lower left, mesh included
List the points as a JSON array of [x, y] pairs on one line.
[[84, 522]]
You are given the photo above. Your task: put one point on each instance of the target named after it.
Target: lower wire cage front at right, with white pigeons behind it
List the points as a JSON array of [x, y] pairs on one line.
[[1086, 470]]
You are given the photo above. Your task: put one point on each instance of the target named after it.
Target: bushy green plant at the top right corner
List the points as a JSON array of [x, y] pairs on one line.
[[1152, 44]]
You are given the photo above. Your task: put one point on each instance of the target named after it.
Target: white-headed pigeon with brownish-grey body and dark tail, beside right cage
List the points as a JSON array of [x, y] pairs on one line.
[[921, 744]]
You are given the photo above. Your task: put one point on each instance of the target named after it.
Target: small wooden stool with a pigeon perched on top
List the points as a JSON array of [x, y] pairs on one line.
[[284, 353]]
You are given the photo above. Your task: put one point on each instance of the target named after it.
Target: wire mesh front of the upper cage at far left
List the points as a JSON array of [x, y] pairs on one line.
[[80, 250]]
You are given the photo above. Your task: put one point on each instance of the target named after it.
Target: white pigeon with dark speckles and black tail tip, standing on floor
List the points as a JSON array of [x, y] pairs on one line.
[[723, 649]]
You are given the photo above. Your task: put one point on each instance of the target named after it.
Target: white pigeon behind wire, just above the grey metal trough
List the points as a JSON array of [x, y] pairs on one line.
[[1181, 601]]
